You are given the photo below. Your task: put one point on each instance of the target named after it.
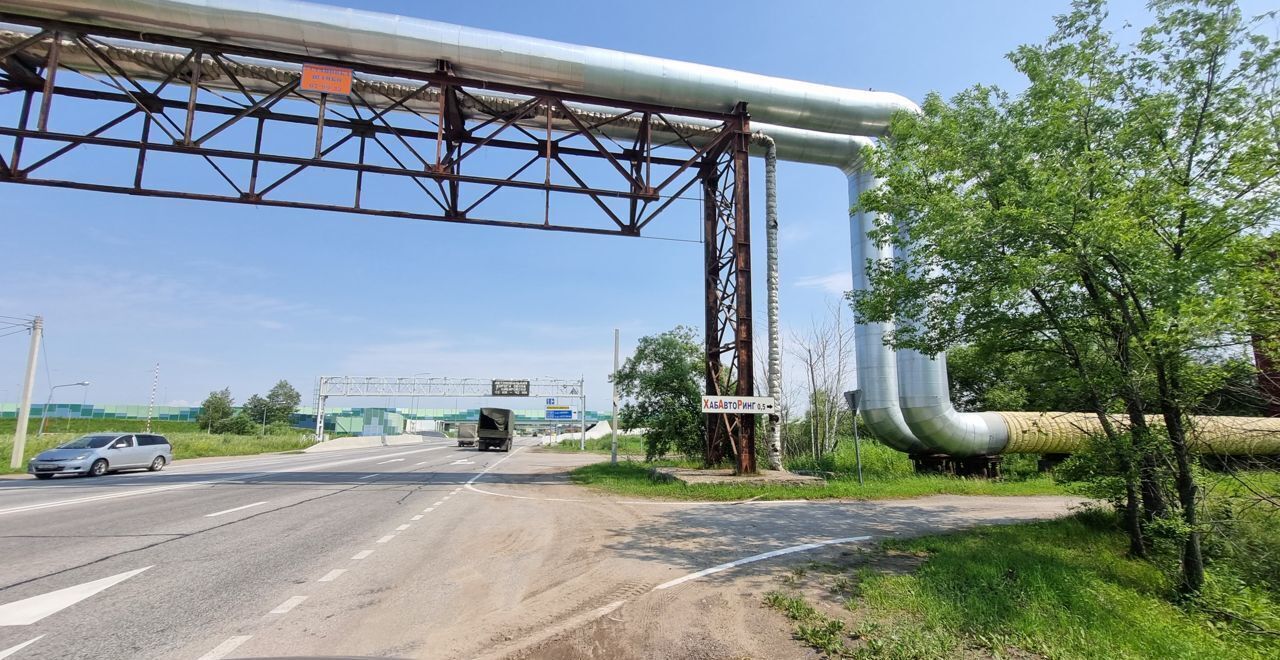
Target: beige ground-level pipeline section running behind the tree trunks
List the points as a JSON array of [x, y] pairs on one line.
[[1053, 433]]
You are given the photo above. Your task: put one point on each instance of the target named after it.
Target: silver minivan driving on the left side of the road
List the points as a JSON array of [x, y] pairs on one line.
[[97, 455]]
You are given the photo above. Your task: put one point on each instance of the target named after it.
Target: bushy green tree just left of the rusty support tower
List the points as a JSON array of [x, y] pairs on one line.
[[662, 392]]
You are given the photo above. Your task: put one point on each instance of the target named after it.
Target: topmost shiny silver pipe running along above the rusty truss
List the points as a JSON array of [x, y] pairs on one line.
[[356, 36]]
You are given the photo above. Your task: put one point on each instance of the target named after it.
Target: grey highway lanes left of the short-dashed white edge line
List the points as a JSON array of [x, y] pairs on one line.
[[200, 570]]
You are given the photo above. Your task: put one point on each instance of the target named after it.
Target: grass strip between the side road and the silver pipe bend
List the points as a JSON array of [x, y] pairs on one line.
[[633, 479]]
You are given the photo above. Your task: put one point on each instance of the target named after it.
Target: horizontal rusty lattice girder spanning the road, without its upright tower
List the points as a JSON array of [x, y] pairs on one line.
[[426, 129]]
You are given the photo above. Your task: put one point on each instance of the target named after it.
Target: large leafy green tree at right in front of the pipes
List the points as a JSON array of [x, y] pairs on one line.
[[1104, 216]]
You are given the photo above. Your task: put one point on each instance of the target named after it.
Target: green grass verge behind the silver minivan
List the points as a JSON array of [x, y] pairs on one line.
[[188, 441]]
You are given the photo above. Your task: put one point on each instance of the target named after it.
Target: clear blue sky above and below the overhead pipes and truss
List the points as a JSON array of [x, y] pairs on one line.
[[236, 296]]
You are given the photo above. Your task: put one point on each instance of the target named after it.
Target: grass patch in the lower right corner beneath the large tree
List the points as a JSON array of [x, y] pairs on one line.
[[1060, 589]]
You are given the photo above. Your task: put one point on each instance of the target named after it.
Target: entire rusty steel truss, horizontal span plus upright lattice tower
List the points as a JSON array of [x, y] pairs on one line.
[[403, 144]]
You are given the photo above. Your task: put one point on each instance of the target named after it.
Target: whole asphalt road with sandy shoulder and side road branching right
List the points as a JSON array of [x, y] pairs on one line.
[[410, 552]]
